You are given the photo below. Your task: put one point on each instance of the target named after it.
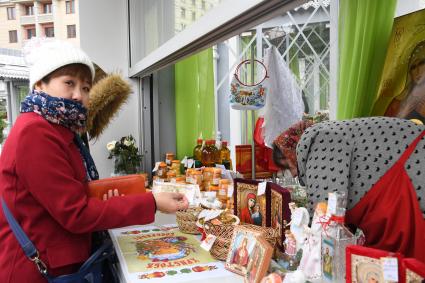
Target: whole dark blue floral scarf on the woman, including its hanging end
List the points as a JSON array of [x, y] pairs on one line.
[[65, 112]]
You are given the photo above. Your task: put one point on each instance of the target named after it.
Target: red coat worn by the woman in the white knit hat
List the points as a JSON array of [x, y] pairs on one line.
[[42, 180]]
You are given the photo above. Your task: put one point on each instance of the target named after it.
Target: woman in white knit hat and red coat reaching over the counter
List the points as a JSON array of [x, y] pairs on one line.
[[44, 172]]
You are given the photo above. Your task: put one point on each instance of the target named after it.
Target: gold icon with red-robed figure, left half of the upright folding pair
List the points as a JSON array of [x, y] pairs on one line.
[[250, 208]]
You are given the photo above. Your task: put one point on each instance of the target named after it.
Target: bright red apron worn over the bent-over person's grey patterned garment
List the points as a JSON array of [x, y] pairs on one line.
[[389, 213]]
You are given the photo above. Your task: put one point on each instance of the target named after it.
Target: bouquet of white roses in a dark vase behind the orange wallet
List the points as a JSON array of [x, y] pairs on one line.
[[125, 155]]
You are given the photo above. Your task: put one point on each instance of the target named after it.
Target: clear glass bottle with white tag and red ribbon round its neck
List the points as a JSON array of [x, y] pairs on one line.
[[335, 238]]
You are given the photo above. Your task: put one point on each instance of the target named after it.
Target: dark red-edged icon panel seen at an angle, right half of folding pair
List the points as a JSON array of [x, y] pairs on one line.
[[278, 211]]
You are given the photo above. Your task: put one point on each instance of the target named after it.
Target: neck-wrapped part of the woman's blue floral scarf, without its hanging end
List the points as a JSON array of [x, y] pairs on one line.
[[56, 110]]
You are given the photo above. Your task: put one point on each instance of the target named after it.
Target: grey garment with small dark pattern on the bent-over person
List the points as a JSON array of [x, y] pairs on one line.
[[352, 155]]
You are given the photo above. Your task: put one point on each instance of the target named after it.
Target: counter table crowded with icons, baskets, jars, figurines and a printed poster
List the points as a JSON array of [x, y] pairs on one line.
[[242, 230]]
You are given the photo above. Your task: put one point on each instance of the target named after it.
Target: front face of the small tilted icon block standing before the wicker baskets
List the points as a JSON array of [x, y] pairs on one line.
[[241, 247]]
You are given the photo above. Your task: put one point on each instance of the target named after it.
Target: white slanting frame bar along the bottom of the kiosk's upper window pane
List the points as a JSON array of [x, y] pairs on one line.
[[229, 18]]
